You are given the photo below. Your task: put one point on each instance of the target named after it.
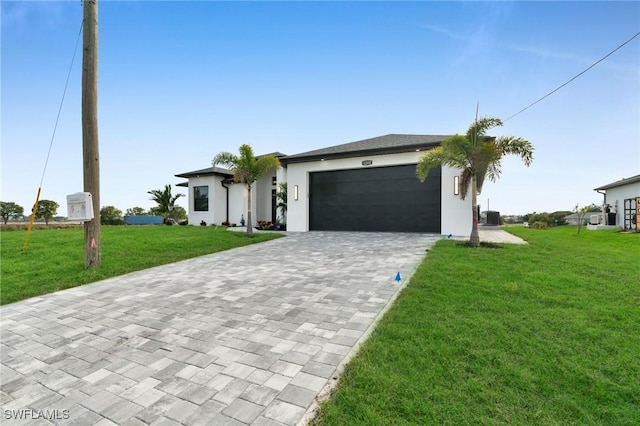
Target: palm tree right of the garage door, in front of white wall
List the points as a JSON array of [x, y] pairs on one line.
[[478, 156]]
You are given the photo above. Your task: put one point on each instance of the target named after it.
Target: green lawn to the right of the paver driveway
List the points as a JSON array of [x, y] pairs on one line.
[[540, 334]]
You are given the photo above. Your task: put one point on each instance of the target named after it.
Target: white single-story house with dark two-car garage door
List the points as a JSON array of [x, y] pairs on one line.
[[368, 185]]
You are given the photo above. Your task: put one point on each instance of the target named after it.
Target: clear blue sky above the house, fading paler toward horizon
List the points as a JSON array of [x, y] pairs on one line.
[[180, 82]]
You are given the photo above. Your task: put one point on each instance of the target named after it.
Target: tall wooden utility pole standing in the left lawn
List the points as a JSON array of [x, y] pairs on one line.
[[90, 151]]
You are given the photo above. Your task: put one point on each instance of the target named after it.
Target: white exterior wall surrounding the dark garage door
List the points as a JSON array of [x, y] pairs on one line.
[[454, 219]]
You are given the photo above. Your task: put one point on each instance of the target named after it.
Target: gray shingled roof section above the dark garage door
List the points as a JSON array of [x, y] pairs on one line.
[[388, 144]]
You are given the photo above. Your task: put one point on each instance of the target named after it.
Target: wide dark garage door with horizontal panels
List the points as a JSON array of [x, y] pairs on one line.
[[387, 199]]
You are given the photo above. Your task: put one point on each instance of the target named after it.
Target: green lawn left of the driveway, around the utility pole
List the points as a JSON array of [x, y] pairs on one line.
[[54, 259]]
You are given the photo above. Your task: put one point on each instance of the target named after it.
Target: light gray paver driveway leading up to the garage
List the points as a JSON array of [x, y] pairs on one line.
[[247, 336]]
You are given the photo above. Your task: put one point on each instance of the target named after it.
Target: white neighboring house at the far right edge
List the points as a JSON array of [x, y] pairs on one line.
[[623, 197]]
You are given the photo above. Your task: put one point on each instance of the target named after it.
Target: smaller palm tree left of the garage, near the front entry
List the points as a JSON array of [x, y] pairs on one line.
[[247, 169]]
